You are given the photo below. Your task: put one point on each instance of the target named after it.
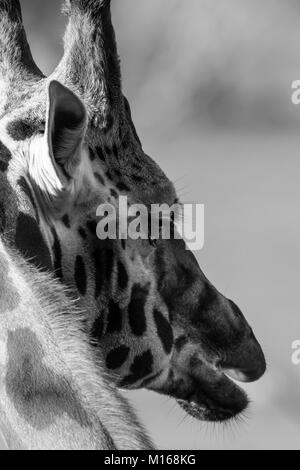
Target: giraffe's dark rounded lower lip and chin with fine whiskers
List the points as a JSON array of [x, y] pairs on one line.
[[213, 396]]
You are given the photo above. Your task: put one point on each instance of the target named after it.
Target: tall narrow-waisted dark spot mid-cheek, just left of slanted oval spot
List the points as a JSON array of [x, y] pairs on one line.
[[136, 310]]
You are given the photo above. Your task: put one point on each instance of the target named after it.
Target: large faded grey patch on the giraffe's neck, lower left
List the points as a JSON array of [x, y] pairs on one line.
[[39, 395]]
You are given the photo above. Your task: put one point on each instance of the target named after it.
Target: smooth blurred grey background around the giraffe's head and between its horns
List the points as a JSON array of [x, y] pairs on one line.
[[210, 87]]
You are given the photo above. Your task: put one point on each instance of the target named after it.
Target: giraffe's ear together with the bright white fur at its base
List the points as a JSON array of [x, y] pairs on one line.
[[56, 160]]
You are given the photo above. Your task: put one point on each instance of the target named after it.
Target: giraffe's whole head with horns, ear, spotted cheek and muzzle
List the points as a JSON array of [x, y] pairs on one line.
[[68, 145]]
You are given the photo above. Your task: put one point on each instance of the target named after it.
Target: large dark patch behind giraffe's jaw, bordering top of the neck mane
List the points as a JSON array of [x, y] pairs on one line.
[[30, 242]]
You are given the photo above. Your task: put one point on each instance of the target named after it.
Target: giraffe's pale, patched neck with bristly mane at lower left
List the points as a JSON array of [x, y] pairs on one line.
[[51, 395]]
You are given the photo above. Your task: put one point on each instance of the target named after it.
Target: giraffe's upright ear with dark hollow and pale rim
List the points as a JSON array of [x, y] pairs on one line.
[[66, 128]]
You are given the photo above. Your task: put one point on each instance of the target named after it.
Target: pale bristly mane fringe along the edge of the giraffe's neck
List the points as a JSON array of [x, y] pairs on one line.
[[65, 320]]
